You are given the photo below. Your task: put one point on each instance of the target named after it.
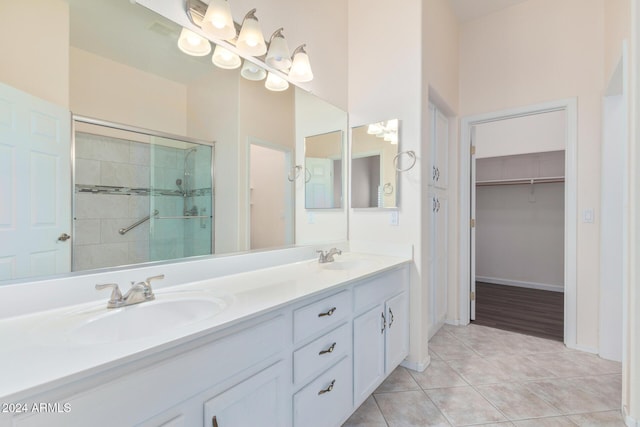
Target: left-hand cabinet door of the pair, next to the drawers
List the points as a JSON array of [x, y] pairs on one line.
[[368, 352]]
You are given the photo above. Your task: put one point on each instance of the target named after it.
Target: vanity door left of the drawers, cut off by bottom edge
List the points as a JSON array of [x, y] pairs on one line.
[[257, 401]]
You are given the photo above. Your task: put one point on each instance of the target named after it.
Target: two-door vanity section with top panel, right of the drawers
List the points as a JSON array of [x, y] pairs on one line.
[[380, 330]]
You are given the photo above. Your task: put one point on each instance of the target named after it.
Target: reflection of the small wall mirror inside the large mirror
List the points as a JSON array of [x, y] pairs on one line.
[[323, 170]]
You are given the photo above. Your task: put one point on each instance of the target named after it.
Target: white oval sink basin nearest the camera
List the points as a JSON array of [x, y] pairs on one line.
[[168, 311]]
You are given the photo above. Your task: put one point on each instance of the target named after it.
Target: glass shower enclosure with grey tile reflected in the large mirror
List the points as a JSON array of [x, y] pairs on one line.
[[139, 195]]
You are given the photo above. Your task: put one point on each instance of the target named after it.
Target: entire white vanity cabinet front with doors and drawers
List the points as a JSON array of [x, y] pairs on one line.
[[309, 362]]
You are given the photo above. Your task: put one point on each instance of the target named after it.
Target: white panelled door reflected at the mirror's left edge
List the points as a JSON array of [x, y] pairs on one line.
[[35, 186]]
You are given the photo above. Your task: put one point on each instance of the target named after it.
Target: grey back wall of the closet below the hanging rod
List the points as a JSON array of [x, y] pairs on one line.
[[520, 235]]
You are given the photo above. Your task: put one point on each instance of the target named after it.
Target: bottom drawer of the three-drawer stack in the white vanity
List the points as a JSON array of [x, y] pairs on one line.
[[327, 400]]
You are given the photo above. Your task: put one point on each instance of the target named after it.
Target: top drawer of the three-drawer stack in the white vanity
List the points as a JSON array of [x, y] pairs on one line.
[[320, 315]]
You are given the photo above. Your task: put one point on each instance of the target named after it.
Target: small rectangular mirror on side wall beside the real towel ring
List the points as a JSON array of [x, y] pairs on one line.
[[374, 157]]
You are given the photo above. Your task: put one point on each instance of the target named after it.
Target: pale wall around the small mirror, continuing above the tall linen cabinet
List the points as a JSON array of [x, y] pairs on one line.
[[415, 53]]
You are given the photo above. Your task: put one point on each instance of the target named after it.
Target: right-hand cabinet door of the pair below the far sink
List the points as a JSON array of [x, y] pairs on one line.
[[397, 338]]
